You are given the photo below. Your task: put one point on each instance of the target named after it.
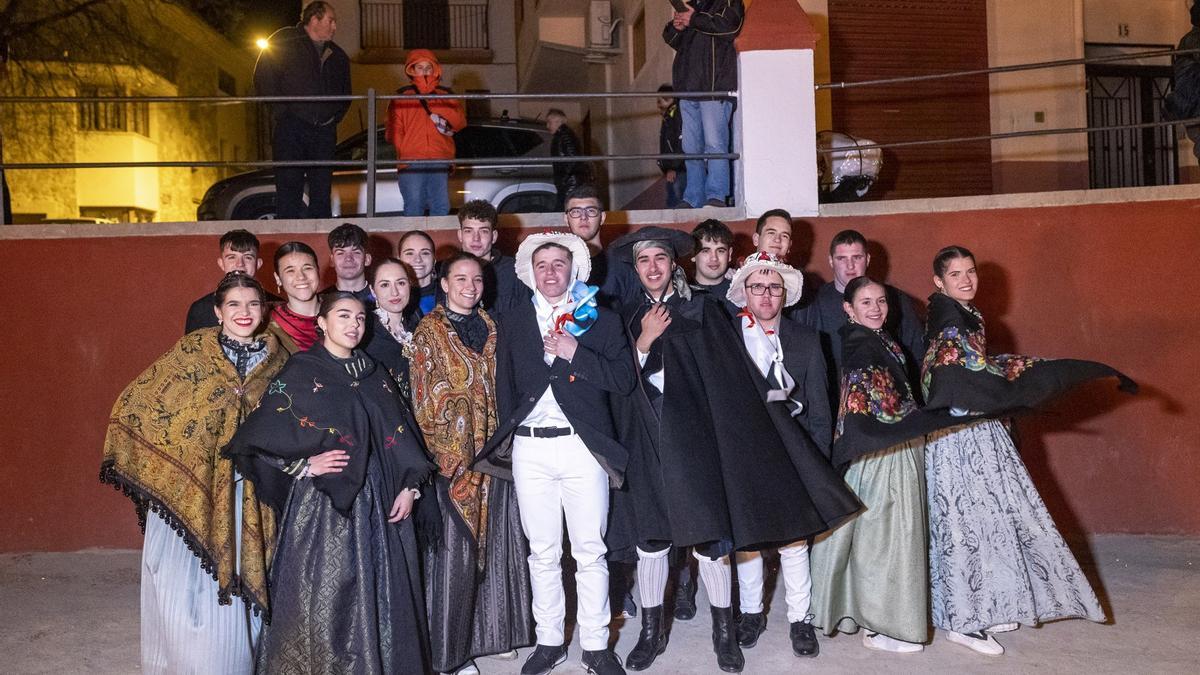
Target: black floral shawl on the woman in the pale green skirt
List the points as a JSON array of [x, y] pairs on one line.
[[877, 409]]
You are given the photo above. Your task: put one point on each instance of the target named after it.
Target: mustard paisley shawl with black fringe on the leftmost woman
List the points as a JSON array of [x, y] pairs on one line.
[[163, 451]]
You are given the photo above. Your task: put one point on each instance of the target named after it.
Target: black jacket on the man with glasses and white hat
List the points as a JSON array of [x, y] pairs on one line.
[[805, 362]]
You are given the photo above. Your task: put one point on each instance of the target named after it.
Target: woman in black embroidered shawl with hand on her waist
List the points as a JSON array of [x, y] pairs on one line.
[[345, 587]]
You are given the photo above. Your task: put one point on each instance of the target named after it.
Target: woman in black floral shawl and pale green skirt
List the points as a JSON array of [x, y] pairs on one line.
[[873, 571]]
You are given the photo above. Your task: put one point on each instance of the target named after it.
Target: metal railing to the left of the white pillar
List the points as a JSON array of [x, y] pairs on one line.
[[371, 163]]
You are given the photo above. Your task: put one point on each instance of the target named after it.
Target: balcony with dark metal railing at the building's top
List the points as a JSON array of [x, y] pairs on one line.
[[429, 25]]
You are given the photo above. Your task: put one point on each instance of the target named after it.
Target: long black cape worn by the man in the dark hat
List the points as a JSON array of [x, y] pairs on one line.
[[709, 461]]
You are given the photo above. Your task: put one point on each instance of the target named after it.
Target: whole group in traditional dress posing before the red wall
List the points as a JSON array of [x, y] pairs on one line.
[[382, 471]]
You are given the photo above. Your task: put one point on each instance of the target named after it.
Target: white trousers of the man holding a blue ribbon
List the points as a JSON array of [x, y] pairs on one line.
[[557, 477]]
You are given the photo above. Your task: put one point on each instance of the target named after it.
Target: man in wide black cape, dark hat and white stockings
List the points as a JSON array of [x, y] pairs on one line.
[[709, 464]]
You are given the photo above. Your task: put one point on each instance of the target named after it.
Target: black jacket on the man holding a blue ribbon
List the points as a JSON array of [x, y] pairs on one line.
[[602, 368]]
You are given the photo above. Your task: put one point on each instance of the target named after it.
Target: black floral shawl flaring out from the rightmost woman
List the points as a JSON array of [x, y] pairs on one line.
[[958, 373]]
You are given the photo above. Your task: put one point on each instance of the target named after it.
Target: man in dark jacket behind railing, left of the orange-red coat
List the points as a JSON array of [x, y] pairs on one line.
[[303, 61]]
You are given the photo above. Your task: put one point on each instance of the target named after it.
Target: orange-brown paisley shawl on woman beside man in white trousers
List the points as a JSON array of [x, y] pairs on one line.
[[454, 396]]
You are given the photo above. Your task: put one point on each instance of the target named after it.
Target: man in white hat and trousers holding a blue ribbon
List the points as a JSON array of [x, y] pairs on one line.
[[557, 365]]
